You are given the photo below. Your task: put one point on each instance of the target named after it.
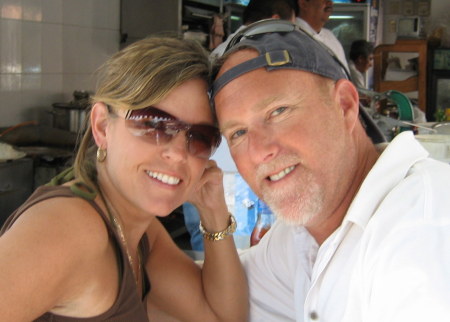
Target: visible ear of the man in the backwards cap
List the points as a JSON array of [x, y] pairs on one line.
[[347, 98]]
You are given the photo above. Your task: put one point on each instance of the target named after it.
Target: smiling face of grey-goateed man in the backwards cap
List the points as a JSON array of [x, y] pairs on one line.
[[287, 135]]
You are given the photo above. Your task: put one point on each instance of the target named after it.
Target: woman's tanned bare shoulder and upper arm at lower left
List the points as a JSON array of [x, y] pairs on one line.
[[53, 247]]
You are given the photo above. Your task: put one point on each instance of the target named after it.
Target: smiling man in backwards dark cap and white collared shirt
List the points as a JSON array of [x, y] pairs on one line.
[[363, 229]]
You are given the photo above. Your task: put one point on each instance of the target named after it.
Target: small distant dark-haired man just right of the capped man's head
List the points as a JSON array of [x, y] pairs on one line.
[[361, 59]]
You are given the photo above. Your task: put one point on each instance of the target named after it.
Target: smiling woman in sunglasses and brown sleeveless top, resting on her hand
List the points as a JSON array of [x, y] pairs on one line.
[[91, 248]]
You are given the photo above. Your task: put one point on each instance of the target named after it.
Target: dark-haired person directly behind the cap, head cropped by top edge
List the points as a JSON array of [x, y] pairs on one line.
[[261, 9]]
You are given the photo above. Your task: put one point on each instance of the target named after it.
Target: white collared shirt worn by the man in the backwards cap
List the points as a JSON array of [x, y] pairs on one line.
[[388, 261]]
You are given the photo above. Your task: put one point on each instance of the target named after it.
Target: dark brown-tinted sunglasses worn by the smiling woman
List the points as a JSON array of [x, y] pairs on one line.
[[159, 127]]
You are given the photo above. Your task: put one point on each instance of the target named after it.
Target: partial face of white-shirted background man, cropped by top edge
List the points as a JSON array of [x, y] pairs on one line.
[[316, 11]]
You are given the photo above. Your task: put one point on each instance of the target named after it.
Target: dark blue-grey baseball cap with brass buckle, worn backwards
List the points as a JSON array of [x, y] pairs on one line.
[[282, 44]]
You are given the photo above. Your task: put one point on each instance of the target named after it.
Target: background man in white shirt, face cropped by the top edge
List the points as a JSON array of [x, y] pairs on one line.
[[313, 15]]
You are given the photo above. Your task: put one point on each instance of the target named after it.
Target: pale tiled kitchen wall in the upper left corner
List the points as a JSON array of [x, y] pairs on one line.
[[48, 49]]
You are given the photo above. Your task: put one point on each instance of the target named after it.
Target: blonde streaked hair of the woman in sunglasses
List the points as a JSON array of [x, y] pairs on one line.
[[138, 76]]
